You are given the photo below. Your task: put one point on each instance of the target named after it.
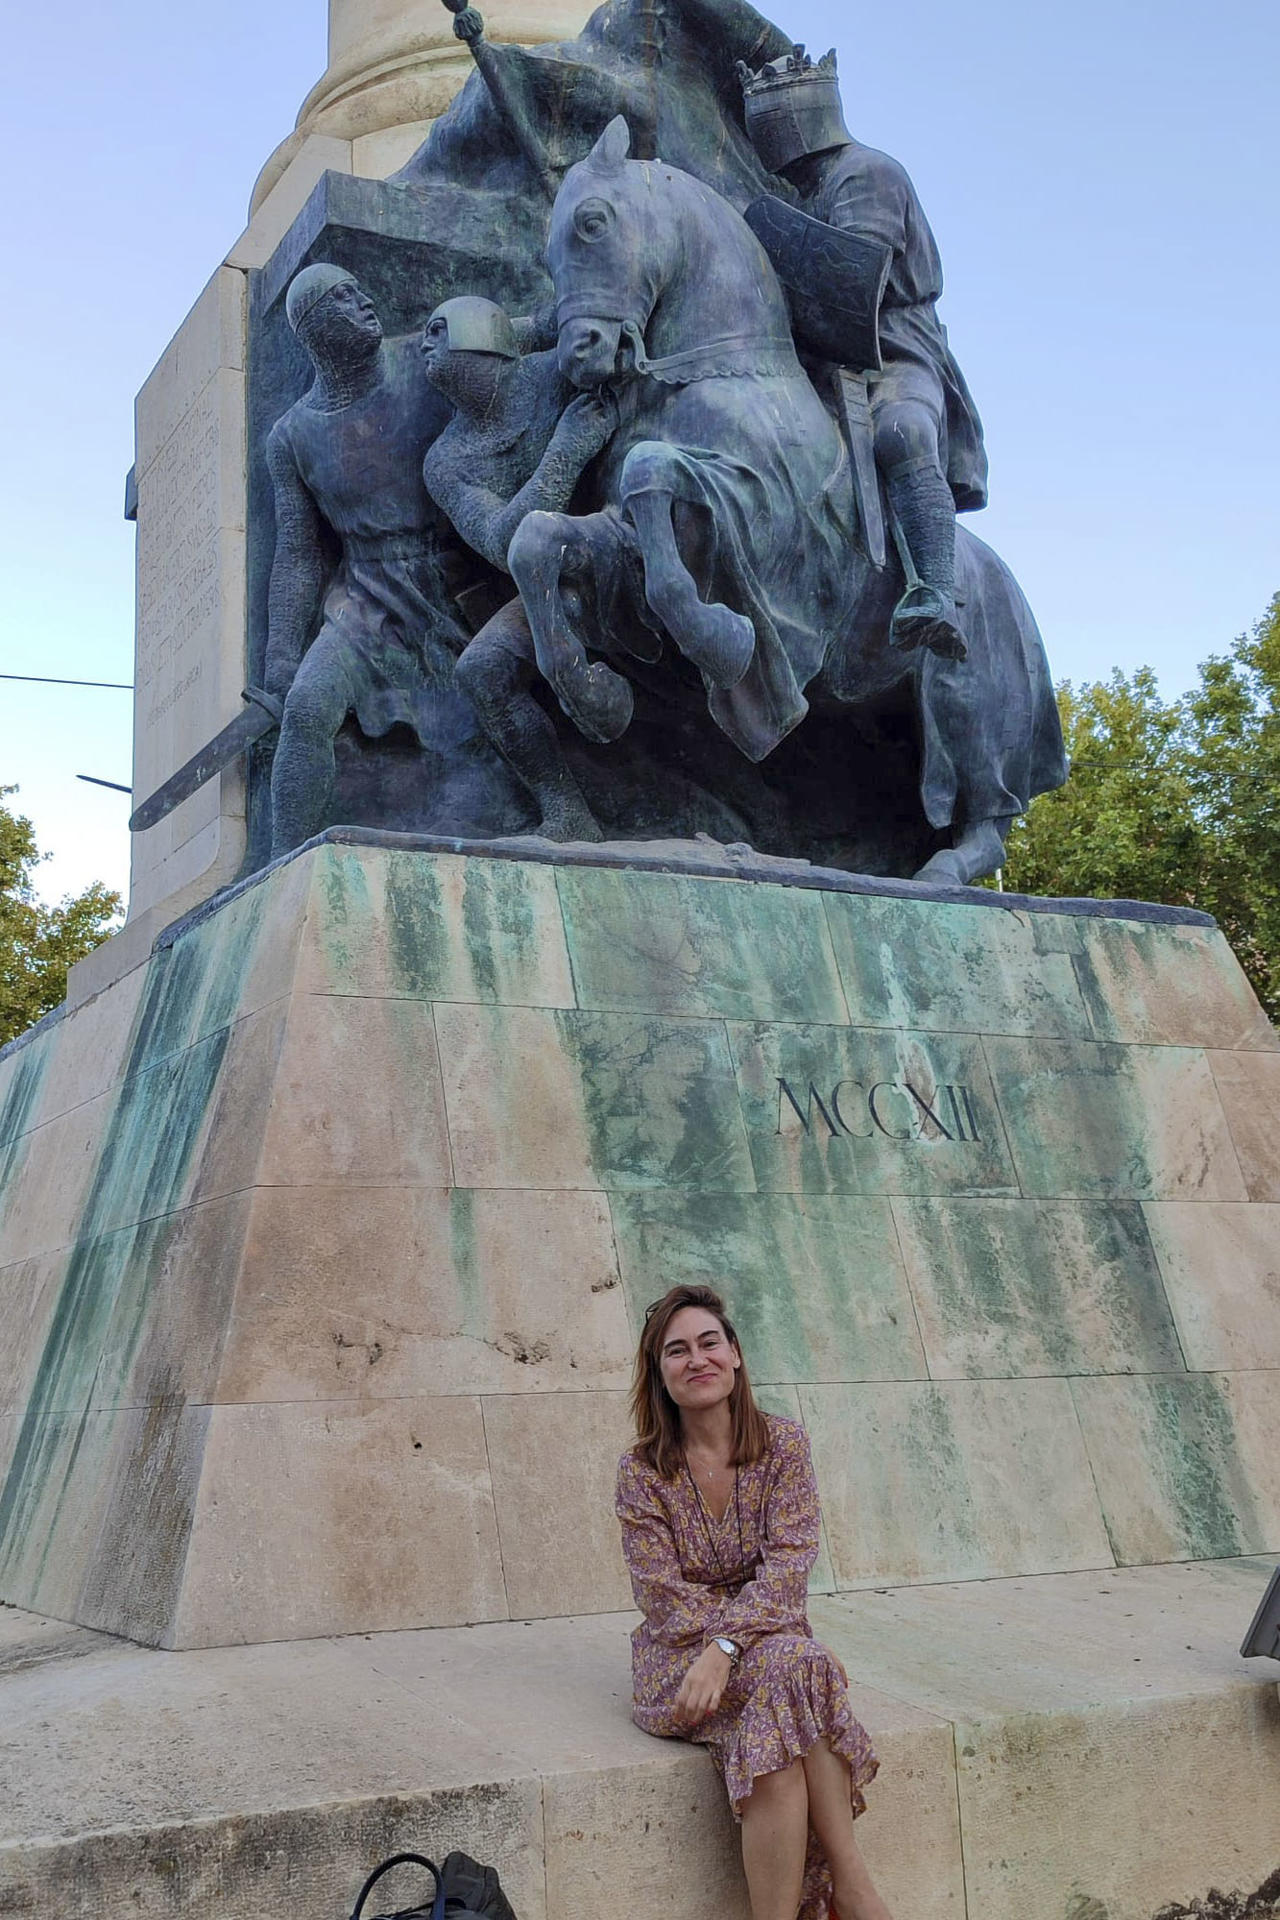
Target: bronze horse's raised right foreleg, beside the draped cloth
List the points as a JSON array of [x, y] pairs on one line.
[[715, 638]]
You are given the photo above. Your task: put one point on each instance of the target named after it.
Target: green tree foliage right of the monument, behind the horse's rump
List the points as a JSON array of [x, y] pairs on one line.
[[1173, 802]]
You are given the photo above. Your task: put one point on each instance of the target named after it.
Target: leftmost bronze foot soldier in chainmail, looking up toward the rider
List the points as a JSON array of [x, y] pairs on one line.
[[346, 464]]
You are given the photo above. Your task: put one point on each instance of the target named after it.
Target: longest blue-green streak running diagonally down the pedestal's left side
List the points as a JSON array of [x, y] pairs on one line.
[[143, 1174]]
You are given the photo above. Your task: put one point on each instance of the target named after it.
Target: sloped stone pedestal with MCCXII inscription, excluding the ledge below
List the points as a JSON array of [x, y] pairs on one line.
[[348, 1207]]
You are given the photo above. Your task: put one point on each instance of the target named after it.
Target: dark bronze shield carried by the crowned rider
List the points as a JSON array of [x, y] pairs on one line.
[[834, 281]]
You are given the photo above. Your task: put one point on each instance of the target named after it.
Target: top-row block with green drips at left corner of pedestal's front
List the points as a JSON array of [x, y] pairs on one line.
[[435, 928]]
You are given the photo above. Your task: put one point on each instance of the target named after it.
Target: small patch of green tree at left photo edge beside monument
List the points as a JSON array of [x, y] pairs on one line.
[[37, 942]]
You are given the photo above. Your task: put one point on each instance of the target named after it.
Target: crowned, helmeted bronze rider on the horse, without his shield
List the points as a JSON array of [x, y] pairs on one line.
[[928, 433]]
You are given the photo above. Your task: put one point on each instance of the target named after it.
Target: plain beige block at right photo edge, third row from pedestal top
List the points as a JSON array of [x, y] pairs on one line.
[[1221, 1270]]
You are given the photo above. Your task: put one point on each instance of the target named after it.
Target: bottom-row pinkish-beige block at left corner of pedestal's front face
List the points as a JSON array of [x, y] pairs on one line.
[[333, 1518]]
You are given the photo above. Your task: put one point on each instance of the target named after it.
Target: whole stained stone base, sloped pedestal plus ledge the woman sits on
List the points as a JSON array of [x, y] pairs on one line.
[[325, 1239]]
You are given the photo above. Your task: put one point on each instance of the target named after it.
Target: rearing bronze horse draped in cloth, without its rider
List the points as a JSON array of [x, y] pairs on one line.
[[728, 525]]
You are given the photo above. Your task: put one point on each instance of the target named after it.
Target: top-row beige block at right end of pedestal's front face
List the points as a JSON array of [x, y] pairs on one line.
[[1168, 986]]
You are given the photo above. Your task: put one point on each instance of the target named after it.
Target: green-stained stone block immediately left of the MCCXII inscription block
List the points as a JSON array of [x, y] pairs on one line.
[[659, 1101]]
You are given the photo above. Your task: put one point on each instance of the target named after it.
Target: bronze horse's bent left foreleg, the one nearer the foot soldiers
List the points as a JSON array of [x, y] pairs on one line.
[[544, 550]]
